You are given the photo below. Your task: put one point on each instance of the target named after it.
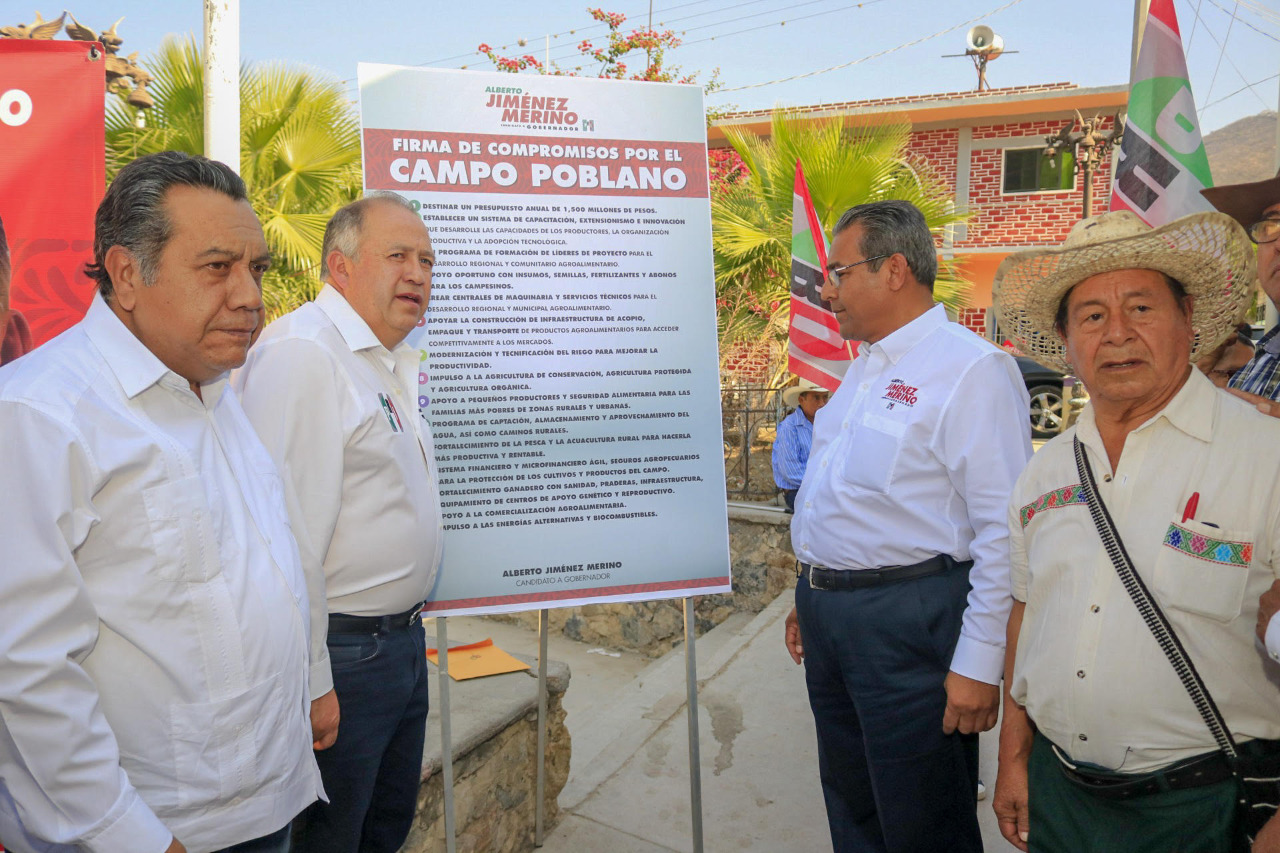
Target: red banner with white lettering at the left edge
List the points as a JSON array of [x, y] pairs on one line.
[[52, 180]]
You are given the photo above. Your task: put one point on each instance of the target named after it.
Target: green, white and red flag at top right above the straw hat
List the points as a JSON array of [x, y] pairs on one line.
[[1163, 162]]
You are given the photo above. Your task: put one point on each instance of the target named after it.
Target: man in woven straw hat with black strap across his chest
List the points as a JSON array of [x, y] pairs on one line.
[[1103, 747]]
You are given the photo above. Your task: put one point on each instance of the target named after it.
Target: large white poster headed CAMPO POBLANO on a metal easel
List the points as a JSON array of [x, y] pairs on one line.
[[570, 370]]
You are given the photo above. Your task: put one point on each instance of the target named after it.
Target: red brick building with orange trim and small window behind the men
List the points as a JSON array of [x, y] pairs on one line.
[[989, 148]]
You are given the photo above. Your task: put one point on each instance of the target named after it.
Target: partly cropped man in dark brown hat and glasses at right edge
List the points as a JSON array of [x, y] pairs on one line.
[[1258, 208]]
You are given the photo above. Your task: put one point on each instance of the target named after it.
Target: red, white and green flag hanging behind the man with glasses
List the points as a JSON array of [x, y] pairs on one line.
[[815, 349]]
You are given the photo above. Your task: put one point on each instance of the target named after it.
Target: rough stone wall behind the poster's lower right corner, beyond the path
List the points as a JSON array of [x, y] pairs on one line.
[[762, 567]]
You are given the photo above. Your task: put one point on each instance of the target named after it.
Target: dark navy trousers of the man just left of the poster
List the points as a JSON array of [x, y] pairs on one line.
[[373, 770]]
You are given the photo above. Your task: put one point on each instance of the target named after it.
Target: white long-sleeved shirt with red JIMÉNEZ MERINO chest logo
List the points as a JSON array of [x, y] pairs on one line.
[[916, 457]]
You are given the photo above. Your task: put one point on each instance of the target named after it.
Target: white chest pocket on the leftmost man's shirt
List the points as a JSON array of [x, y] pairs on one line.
[[181, 530]]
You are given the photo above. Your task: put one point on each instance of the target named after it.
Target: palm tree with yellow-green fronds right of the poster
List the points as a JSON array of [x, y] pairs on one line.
[[752, 218]]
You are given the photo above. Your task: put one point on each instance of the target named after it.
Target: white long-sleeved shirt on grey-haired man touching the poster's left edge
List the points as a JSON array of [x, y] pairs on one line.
[[339, 413]]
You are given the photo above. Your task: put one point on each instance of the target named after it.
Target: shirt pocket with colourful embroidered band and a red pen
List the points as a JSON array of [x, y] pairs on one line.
[[1204, 571]]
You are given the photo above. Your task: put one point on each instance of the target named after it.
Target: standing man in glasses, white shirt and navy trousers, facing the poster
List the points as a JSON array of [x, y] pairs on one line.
[[903, 545]]
